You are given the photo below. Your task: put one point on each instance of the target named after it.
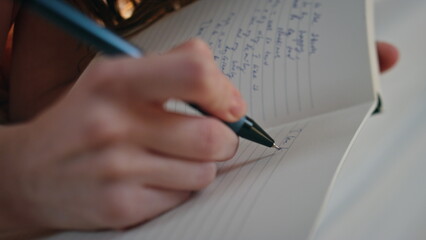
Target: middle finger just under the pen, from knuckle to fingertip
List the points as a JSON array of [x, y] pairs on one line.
[[172, 134]]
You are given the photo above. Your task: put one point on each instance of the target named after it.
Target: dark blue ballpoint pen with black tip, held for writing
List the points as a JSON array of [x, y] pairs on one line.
[[88, 31]]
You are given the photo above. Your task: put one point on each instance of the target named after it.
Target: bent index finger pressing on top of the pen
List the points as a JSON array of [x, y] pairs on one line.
[[188, 73]]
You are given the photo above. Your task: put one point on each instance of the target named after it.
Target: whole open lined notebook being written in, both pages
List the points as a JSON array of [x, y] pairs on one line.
[[308, 71]]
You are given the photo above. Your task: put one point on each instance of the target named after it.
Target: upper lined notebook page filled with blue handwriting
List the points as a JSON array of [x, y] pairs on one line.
[[290, 59]]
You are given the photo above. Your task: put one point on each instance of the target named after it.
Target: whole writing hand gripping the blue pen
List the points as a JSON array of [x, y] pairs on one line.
[[108, 155]]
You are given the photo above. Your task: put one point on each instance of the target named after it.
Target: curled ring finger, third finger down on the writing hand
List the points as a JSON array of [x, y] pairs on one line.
[[126, 164]]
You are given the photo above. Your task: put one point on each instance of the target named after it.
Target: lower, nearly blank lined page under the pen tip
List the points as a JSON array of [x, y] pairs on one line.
[[261, 193]]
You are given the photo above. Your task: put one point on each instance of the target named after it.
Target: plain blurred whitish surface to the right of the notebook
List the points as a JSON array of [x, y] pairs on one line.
[[381, 191]]
